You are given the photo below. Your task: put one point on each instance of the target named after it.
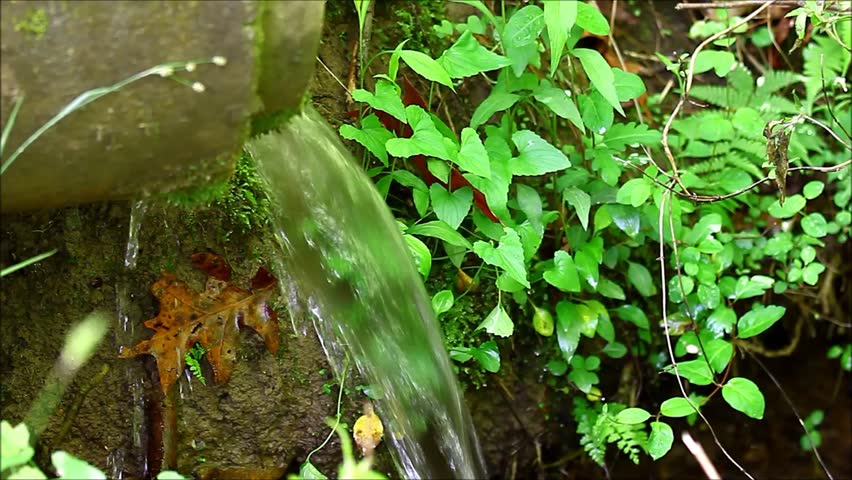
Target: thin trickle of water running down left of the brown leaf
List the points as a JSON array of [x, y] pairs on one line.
[[125, 335]]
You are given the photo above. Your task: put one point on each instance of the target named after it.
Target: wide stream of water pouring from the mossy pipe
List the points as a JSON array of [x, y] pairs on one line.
[[348, 260]]
